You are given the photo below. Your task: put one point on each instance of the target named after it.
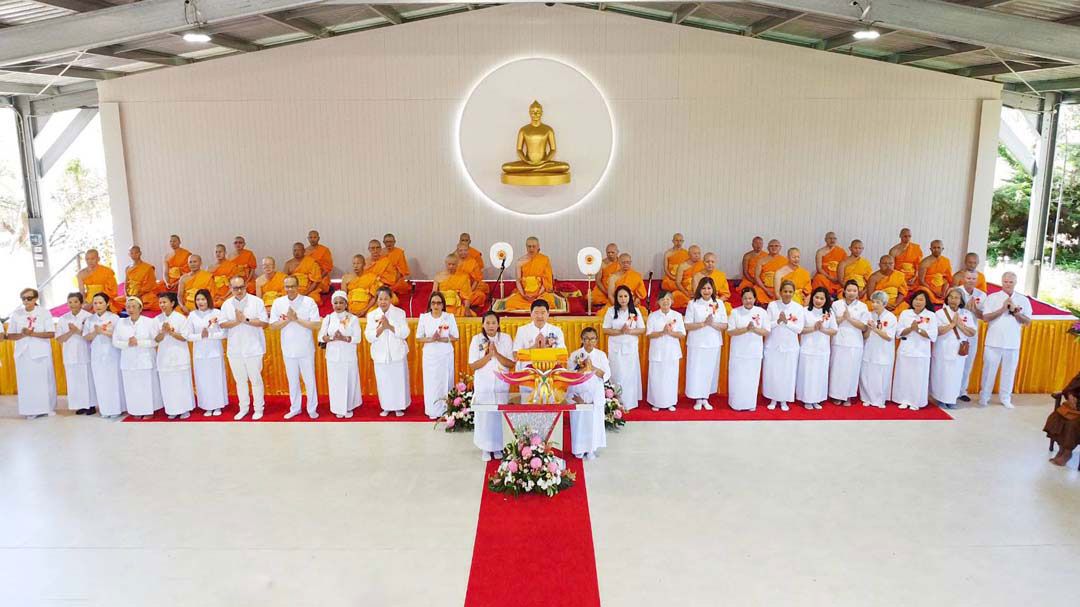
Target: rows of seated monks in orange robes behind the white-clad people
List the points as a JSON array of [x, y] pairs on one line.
[[764, 268]]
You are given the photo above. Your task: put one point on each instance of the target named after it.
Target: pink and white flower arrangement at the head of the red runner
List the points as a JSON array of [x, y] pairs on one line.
[[530, 466]]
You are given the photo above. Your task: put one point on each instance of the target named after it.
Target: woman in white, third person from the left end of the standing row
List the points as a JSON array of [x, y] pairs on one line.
[[105, 358]]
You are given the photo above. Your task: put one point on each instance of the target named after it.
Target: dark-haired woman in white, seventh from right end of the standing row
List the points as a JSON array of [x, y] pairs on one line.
[[812, 381]]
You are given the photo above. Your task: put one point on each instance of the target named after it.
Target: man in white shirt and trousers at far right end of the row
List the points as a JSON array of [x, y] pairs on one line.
[[1006, 314]]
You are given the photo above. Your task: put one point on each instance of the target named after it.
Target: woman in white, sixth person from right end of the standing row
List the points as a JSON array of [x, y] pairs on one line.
[[846, 358]]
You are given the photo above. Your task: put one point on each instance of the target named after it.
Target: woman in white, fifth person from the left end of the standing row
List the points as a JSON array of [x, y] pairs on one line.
[[174, 359]]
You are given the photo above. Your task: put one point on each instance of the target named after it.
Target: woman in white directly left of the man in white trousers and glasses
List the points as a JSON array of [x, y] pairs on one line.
[[208, 355]]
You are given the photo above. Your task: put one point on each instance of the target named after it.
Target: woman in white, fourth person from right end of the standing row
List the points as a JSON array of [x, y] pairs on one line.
[[916, 332]]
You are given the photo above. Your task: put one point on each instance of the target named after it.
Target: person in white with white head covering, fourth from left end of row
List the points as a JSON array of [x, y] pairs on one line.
[[134, 336]]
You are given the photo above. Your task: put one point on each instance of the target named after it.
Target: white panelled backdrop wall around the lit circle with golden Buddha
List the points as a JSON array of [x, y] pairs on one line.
[[719, 137]]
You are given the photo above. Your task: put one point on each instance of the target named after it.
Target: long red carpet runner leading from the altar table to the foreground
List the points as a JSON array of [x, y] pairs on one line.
[[535, 550]]
